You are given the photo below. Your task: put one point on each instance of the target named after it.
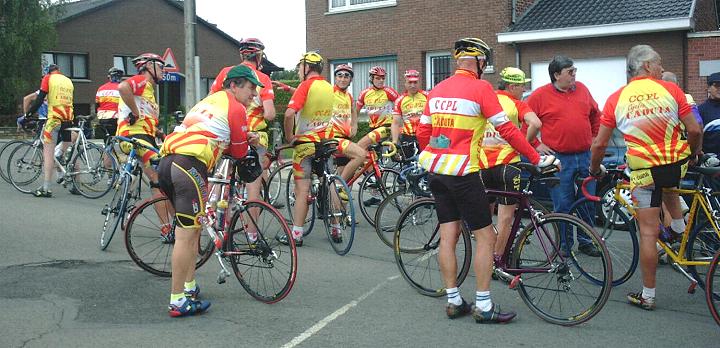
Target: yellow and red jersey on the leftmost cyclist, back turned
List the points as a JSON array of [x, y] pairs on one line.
[[59, 90]]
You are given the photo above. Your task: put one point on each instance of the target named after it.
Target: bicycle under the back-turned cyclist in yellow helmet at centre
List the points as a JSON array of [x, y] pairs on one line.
[[325, 200]]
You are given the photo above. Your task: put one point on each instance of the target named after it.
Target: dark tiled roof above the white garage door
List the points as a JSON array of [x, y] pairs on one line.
[[558, 14]]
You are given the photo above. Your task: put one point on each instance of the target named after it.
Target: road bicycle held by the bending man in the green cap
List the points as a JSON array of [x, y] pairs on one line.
[[265, 268]]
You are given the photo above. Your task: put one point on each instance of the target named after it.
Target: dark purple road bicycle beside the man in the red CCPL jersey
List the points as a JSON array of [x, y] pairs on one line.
[[531, 263]]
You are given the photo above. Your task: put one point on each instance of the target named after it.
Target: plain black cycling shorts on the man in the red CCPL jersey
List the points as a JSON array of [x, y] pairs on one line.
[[460, 197]]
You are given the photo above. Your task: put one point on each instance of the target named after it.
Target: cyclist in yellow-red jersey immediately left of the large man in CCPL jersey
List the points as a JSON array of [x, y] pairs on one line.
[[406, 114]]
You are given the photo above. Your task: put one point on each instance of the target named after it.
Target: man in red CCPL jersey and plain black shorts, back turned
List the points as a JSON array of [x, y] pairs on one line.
[[450, 135]]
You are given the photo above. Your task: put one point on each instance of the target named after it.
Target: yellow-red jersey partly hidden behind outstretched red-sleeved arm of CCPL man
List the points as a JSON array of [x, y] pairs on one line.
[[496, 150]]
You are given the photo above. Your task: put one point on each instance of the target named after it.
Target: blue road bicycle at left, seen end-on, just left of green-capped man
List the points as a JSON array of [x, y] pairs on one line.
[[128, 190]]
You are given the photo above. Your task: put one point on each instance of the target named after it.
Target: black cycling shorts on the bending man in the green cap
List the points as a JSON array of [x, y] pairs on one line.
[[183, 179]]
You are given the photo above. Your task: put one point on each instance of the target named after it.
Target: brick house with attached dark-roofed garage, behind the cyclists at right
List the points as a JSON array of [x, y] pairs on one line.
[[597, 34]]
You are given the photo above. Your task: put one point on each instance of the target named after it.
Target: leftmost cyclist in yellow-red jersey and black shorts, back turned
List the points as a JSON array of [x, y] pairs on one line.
[[59, 92]]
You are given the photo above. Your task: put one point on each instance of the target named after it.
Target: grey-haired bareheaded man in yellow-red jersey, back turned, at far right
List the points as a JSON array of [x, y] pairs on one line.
[[662, 135]]
